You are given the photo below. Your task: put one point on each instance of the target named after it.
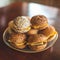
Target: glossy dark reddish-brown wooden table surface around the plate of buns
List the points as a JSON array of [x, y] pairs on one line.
[[17, 9]]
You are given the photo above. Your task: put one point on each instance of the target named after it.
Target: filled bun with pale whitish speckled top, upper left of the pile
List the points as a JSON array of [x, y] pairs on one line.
[[20, 24]]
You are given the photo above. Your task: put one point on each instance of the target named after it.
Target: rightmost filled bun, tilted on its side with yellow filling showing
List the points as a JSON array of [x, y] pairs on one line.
[[49, 32]]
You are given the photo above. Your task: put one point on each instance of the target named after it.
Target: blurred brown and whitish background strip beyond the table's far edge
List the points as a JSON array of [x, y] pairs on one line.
[[55, 3]]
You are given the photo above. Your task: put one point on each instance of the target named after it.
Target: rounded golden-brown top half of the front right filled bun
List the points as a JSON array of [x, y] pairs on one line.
[[37, 38]]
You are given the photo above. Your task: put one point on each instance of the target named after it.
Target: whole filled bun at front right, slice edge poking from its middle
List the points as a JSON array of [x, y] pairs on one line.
[[37, 42]]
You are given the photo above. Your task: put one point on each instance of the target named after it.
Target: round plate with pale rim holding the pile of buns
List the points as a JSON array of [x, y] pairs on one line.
[[26, 50]]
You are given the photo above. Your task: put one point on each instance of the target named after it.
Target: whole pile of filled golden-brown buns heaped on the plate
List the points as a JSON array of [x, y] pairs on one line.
[[33, 32]]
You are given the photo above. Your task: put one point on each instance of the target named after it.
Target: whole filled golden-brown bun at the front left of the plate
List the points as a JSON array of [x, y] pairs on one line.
[[18, 40]]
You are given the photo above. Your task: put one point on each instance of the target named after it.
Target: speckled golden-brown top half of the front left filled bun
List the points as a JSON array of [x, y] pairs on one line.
[[17, 38]]
